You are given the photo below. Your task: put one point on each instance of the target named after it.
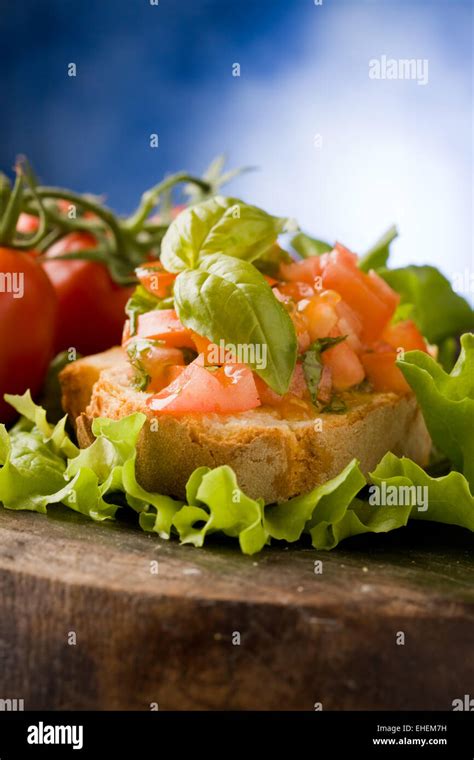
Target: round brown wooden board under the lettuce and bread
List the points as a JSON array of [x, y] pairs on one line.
[[170, 637]]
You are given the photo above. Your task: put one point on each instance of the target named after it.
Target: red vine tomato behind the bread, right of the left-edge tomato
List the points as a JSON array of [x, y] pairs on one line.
[[91, 304]]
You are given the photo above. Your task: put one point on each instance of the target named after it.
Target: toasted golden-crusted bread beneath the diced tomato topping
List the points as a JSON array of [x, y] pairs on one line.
[[273, 458]]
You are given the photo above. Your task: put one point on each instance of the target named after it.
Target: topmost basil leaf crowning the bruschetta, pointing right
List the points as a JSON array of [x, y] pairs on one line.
[[219, 225]]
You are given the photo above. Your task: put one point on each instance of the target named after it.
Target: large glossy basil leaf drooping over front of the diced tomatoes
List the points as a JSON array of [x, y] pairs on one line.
[[228, 299]]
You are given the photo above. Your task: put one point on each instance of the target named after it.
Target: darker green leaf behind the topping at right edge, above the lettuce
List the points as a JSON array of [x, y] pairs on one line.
[[438, 311]]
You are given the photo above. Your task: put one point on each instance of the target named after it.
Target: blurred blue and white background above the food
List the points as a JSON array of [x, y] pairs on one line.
[[390, 151]]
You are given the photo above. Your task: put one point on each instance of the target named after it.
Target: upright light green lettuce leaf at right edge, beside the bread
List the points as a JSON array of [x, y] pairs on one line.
[[447, 402]]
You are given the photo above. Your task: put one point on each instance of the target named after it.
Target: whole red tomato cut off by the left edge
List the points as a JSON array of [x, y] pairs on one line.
[[27, 327]]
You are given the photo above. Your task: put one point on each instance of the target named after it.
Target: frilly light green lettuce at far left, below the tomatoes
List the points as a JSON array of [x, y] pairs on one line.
[[42, 466]]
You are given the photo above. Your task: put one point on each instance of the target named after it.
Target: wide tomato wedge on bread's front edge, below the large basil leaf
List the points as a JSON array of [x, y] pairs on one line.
[[228, 389]]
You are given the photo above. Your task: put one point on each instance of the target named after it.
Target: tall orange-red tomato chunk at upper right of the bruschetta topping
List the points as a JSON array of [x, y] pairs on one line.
[[358, 292]]
